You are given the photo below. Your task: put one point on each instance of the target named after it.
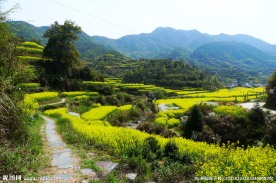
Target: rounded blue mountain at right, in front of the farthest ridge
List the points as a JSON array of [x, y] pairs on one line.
[[234, 59]]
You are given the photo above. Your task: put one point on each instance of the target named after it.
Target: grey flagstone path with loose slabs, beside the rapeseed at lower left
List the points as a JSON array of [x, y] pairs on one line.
[[64, 166]]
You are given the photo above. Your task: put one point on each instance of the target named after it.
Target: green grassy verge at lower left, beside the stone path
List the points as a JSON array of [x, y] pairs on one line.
[[25, 158]]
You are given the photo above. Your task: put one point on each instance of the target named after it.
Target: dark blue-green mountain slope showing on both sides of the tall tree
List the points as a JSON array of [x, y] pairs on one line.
[[87, 47]]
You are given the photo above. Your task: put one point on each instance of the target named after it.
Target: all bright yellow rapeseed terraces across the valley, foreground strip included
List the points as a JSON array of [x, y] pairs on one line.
[[210, 159]]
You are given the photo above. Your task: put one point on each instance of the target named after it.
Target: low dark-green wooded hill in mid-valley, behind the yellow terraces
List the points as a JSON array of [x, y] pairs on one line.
[[172, 74]]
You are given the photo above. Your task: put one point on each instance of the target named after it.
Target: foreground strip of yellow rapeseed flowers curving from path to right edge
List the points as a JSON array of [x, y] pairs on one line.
[[211, 160]]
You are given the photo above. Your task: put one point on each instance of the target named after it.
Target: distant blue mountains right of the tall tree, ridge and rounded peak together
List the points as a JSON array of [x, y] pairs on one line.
[[240, 57]]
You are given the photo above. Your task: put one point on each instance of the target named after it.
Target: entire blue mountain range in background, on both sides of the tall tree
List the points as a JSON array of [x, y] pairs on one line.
[[231, 58]]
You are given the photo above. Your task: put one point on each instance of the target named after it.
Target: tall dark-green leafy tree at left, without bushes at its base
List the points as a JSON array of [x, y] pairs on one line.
[[60, 47]]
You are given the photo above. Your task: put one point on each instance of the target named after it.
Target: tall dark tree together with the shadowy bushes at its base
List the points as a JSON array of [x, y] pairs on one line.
[[65, 71]]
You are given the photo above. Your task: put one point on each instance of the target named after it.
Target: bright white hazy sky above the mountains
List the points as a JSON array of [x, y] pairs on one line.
[[116, 18]]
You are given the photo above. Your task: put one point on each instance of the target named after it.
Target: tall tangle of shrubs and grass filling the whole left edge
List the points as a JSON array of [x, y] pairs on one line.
[[20, 139]]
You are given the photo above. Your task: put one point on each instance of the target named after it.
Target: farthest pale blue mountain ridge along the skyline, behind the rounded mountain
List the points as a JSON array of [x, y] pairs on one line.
[[165, 39]]
